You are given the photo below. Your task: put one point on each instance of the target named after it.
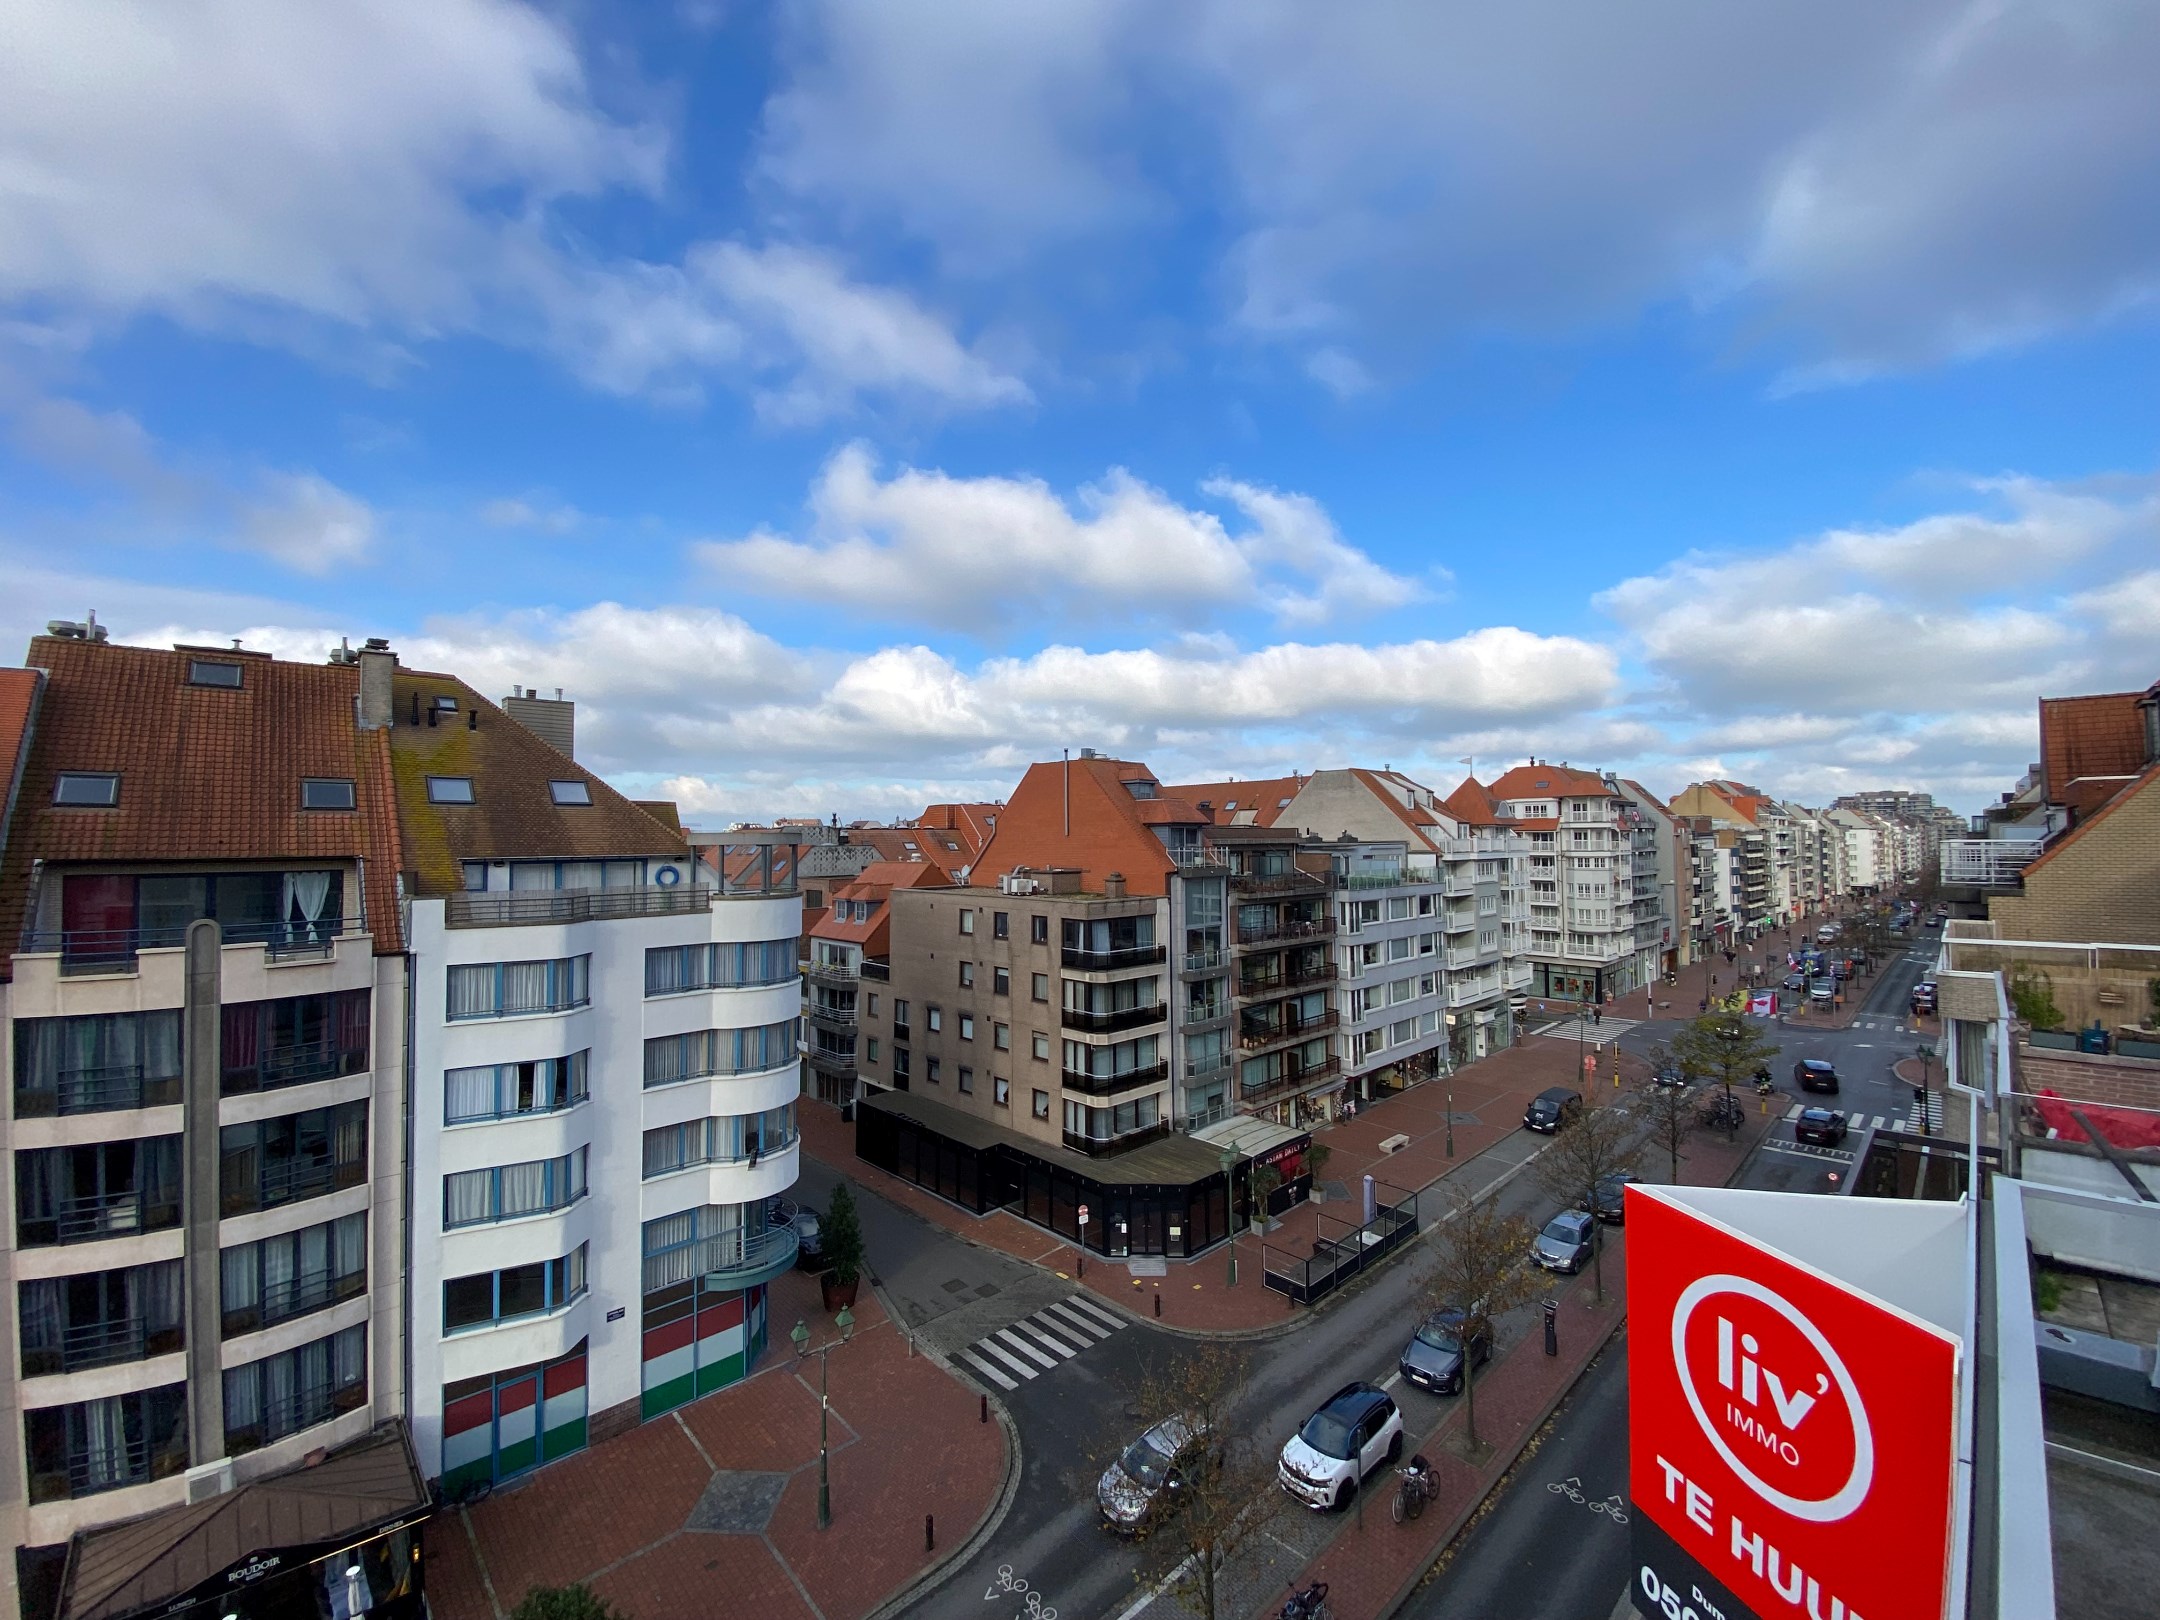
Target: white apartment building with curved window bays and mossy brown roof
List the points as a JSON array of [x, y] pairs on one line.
[[606, 1066]]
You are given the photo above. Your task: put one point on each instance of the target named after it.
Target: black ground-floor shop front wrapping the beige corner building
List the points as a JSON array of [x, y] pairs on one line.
[[1165, 1198]]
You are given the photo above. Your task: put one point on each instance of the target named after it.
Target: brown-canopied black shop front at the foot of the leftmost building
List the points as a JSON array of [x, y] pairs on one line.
[[334, 1541]]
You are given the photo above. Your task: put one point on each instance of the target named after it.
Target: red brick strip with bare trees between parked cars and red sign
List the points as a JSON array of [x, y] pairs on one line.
[[1373, 1569]]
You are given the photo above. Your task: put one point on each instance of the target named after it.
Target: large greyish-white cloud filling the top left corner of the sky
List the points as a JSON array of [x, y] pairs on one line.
[[357, 180]]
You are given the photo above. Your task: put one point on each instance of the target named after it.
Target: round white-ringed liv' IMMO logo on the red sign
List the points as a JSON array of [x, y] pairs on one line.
[[1772, 1396]]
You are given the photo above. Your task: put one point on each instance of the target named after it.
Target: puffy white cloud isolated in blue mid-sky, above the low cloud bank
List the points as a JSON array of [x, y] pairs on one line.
[[977, 552]]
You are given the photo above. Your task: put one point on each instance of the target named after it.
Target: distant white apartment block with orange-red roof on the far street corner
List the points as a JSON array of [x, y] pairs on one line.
[[1593, 882]]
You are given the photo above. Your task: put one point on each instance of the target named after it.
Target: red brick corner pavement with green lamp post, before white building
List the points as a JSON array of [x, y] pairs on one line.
[[906, 1442]]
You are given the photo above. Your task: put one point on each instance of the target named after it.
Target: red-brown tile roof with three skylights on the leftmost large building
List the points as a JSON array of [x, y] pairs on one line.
[[206, 772]]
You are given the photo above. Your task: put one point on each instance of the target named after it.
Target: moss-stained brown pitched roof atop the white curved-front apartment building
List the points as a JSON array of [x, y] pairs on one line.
[[513, 813]]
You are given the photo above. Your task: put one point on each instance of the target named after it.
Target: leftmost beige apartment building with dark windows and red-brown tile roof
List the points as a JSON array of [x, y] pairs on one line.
[[204, 1018]]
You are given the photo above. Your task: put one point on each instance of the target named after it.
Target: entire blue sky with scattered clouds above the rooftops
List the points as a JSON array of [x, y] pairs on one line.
[[852, 403]]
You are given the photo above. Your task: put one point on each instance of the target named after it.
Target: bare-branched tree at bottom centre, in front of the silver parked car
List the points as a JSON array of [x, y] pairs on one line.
[[1221, 1491]]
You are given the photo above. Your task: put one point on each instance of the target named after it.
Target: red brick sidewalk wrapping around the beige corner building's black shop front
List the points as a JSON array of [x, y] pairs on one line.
[[1196, 1295]]
